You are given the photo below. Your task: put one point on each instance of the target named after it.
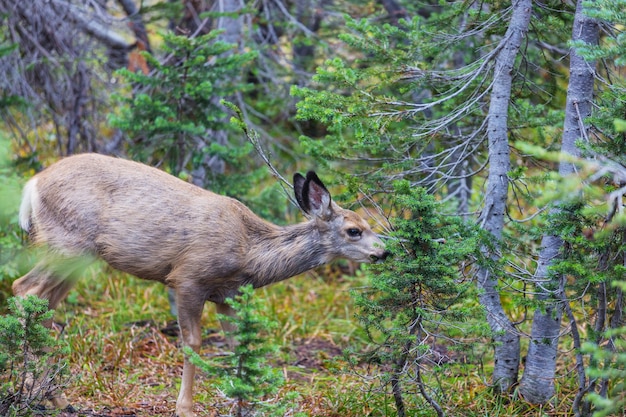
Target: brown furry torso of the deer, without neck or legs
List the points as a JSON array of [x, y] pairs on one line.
[[139, 219]]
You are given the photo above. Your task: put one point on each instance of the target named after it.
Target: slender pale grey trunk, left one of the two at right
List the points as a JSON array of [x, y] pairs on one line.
[[507, 346]]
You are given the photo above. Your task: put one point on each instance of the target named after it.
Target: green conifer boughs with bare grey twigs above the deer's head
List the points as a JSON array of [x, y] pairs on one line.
[[406, 100]]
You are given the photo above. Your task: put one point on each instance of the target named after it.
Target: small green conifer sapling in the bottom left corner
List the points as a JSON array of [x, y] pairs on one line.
[[29, 372]]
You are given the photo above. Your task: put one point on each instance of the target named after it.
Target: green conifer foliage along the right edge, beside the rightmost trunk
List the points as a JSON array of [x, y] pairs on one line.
[[591, 262]]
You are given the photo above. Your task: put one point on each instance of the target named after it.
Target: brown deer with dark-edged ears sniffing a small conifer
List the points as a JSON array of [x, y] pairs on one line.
[[204, 246]]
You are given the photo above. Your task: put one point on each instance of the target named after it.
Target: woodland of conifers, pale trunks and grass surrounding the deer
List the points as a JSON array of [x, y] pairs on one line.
[[485, 139]]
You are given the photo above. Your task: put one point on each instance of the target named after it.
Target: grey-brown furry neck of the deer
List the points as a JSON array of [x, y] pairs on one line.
[[277, 253]]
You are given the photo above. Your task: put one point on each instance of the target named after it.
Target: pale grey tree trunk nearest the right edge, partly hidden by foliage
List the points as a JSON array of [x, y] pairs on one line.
[[537, 384]]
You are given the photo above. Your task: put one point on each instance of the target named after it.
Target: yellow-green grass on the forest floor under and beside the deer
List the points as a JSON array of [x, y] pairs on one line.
[[122, 363]]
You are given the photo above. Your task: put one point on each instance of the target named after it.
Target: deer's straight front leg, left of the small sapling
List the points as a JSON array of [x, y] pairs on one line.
[[189, 316]]
